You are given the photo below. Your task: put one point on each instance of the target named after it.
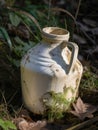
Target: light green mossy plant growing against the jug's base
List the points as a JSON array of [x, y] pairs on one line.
[[55, 104]]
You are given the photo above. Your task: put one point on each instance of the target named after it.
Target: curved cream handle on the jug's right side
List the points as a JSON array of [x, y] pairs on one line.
[[73, 58]]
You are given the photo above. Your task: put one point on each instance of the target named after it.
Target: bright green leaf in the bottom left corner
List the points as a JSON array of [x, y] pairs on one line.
[[6, 125]]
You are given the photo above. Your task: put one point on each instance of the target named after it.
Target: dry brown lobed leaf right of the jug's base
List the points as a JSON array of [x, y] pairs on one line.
[[83, 110]]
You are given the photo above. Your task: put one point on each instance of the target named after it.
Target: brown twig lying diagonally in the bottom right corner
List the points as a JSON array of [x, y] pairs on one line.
[[83, 124]]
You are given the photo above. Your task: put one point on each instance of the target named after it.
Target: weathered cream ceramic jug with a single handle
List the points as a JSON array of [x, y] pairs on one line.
[[50, 66]]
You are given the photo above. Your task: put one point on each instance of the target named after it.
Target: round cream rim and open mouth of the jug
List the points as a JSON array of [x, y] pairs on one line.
[[55, 34]]
